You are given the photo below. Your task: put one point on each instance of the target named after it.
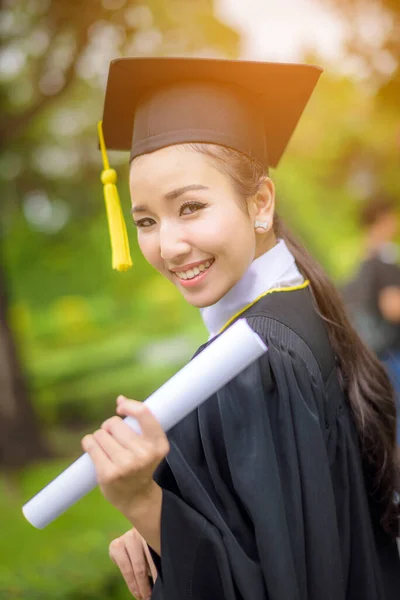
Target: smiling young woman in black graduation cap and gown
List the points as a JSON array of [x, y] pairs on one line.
[[282, 485]]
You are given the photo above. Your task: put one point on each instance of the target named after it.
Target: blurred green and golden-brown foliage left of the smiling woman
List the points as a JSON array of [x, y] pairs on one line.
[[85, 333]]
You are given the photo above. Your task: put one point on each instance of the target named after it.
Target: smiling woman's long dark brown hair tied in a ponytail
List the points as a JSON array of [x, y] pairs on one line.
[[362, 376]]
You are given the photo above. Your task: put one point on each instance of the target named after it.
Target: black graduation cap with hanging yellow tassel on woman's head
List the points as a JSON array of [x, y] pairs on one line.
[[151, 103]]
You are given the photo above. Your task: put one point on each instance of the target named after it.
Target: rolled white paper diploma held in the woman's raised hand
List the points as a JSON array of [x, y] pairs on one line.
[[229, 354]]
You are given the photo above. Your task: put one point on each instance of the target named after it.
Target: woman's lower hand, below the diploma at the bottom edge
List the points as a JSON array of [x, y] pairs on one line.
[[131, 554]]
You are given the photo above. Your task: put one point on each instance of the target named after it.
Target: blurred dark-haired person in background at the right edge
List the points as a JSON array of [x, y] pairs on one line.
[[373, 295]]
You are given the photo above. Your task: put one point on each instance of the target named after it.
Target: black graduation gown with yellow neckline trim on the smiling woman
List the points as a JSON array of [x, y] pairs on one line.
[[264, 494]]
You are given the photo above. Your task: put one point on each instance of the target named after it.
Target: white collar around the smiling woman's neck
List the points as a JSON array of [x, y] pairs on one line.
[[273, 269]]
